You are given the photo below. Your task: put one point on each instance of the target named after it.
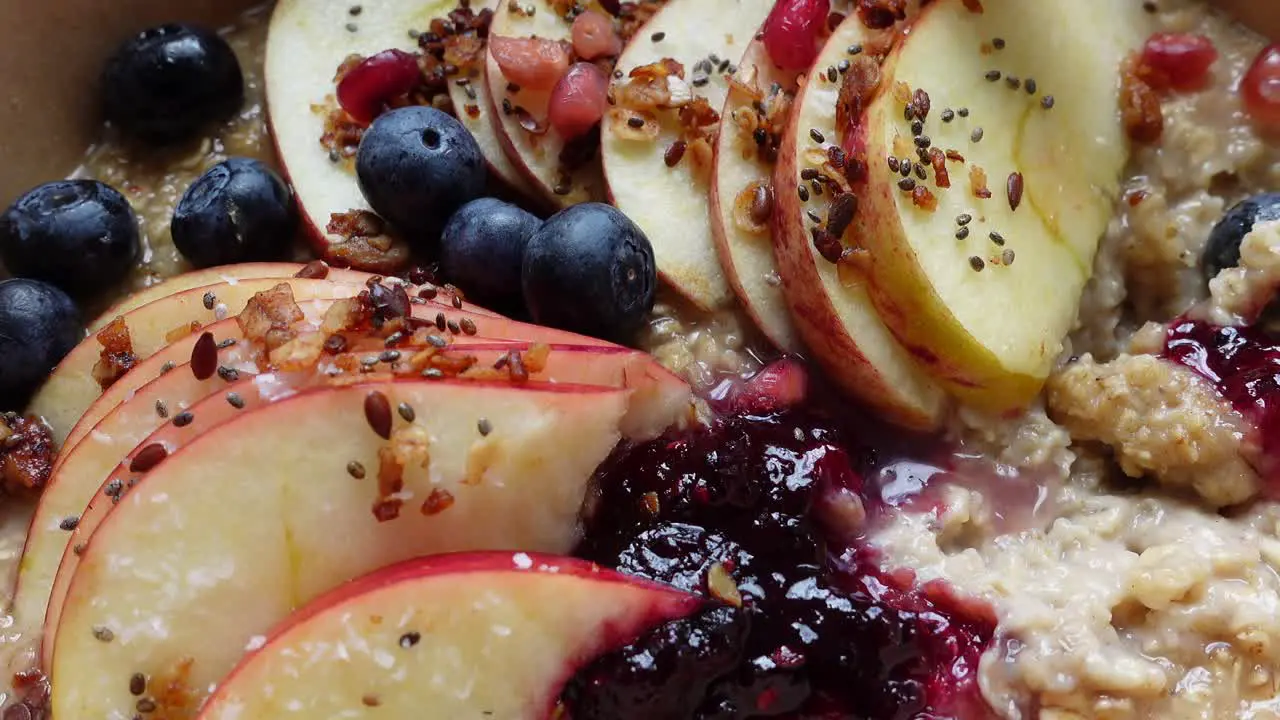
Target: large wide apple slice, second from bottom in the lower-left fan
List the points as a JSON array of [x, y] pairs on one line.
[[262, 514]]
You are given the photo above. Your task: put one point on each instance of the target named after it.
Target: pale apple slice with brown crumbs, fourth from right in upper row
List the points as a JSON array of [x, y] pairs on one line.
[[671, 203]]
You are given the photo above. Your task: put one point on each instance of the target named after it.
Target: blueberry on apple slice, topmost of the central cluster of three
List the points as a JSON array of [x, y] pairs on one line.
[[417, 167]]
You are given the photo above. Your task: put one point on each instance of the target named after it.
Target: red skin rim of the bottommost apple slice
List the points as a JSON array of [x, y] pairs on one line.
[[664, 605]]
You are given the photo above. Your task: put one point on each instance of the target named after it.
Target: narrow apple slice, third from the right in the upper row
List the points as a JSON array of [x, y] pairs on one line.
[[744, 244]]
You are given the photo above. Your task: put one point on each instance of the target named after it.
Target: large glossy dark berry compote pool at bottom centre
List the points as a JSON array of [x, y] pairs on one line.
[[747, 513]]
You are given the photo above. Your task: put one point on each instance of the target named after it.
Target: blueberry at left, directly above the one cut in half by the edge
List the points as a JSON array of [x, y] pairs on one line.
[[79, 235]]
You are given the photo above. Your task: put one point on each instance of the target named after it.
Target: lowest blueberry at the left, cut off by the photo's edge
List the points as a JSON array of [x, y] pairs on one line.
[[39, 326]]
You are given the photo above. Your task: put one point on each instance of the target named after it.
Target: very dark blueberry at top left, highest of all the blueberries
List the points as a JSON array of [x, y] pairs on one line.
[[171, 81]]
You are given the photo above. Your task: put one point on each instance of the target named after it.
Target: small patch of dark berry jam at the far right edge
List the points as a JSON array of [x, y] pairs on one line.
[[1245, 367]]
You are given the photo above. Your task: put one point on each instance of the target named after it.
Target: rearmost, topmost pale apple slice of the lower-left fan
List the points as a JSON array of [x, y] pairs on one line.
[[72, 389]]
